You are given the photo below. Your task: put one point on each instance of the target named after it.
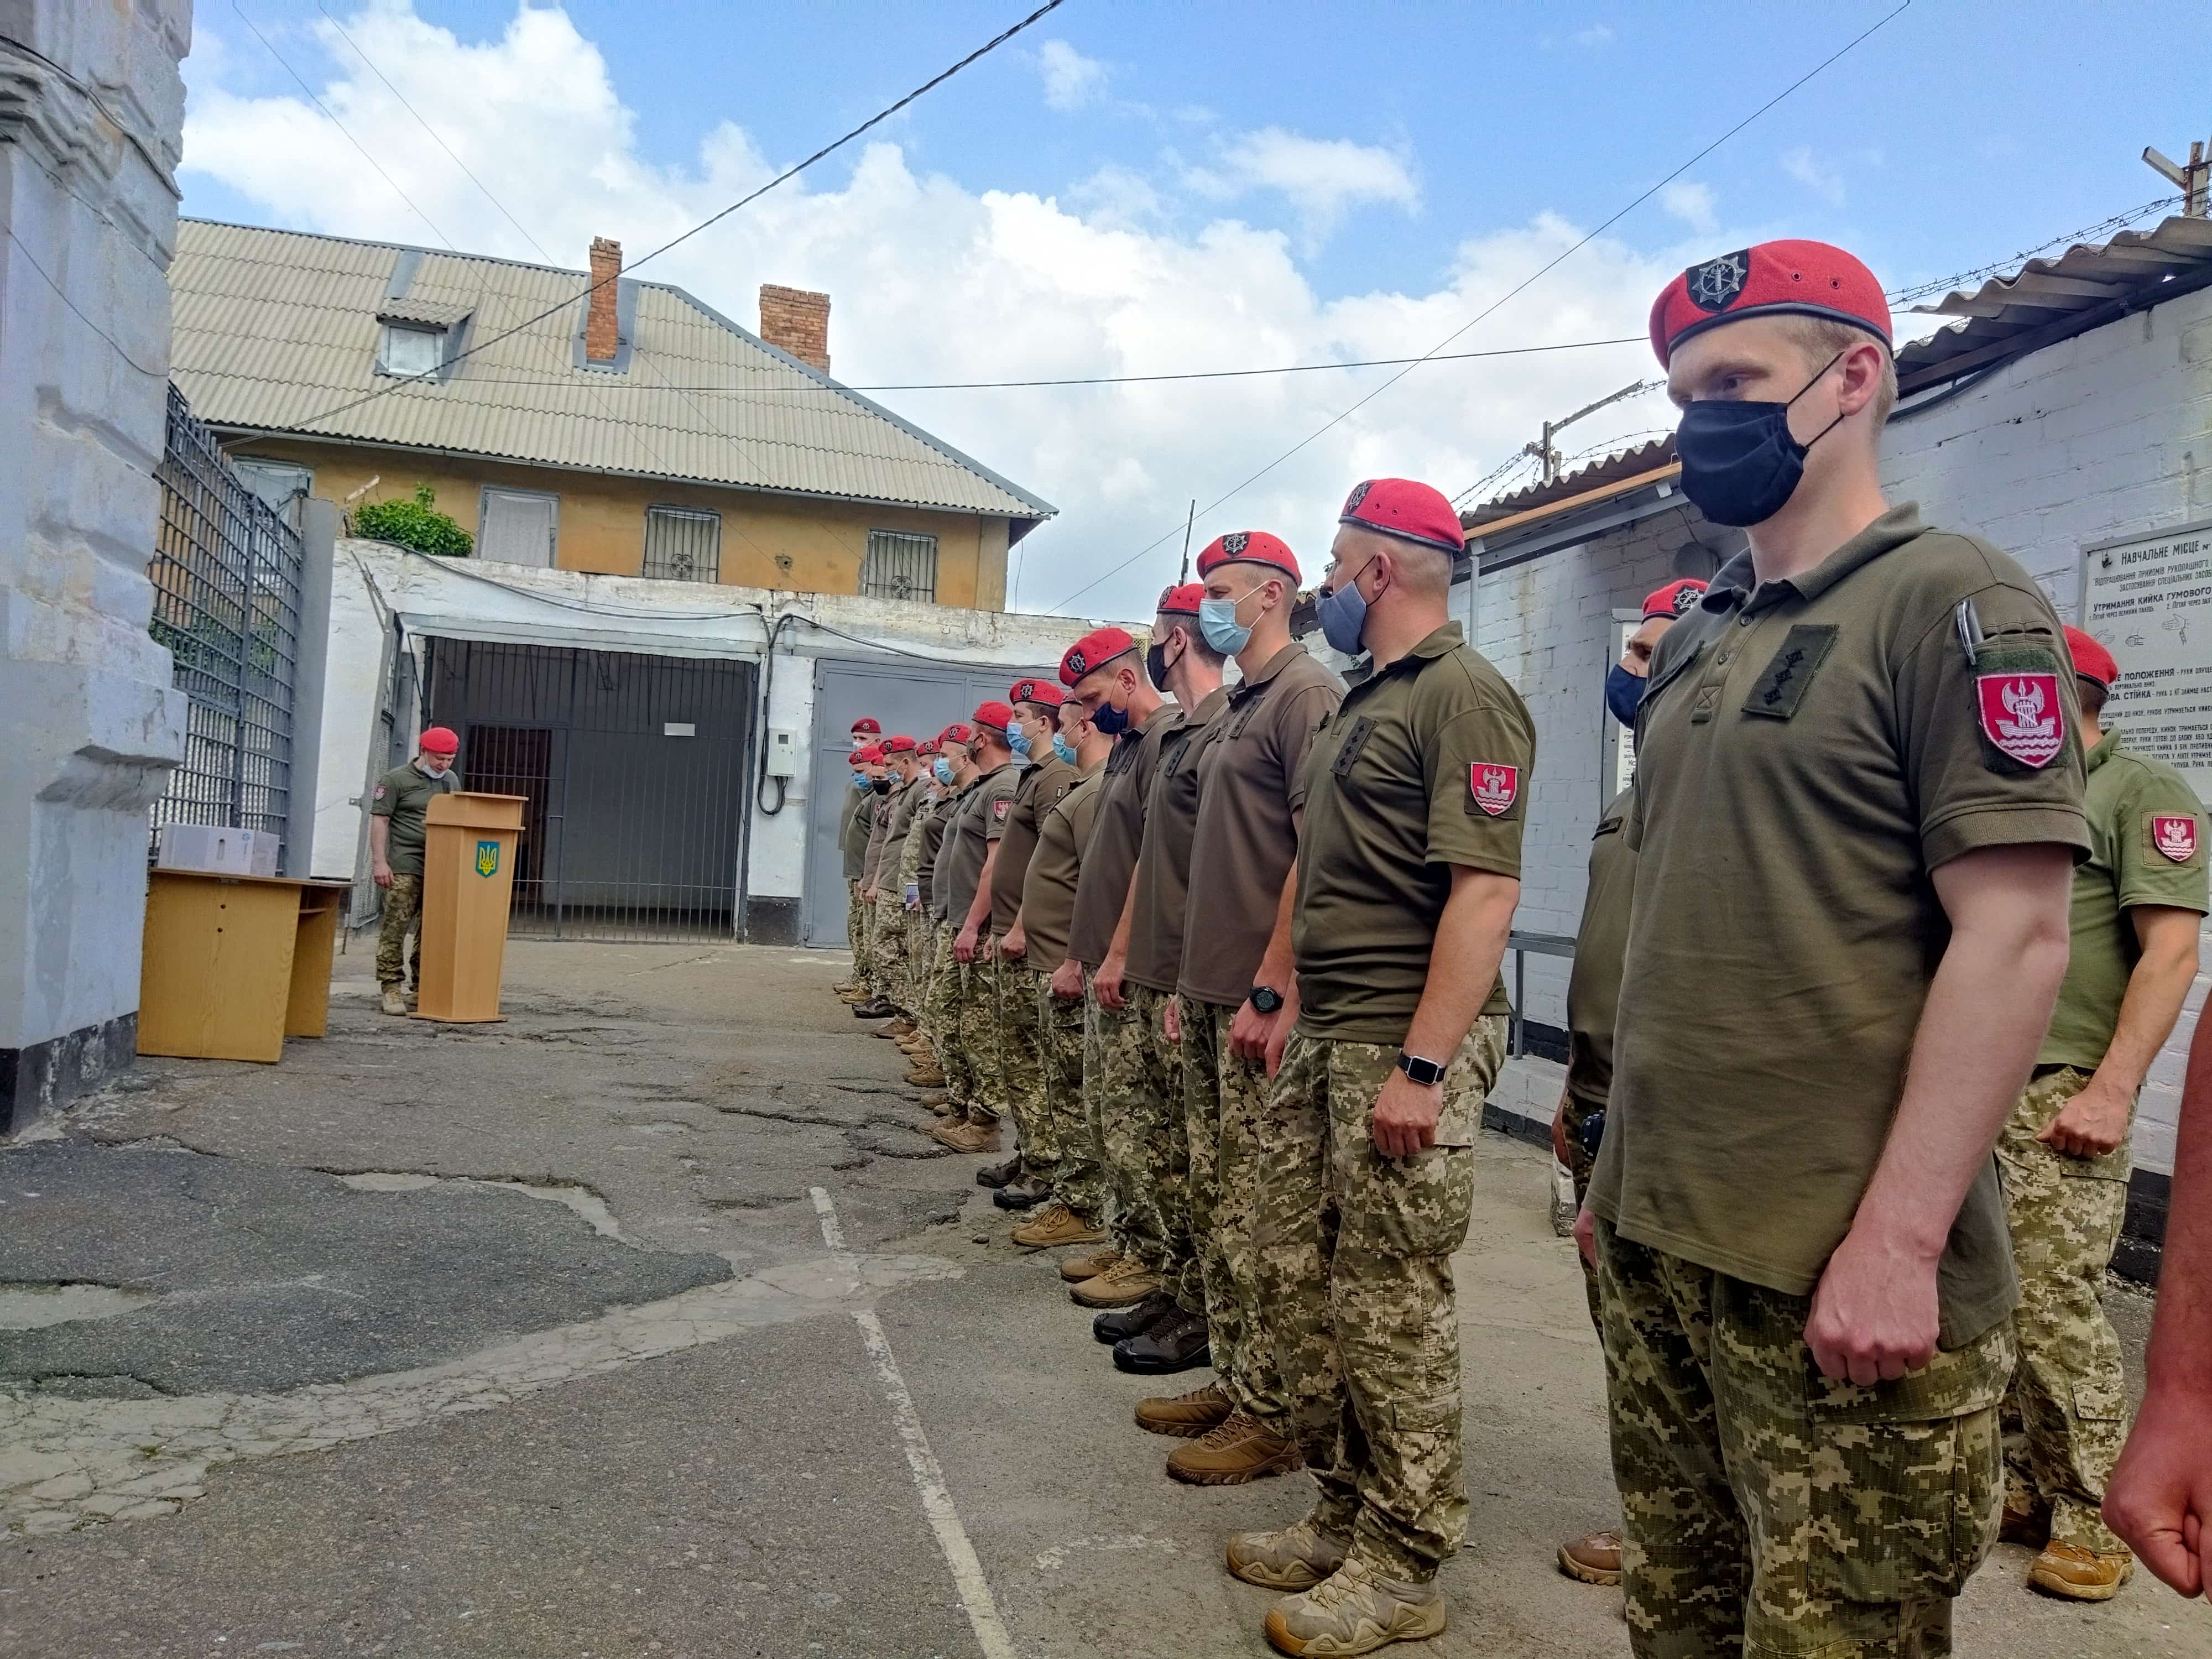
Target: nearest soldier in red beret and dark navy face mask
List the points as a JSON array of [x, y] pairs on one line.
[[1857, 813]]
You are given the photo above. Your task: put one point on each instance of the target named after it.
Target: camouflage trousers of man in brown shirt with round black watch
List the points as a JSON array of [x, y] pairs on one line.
[[1224, 1105]]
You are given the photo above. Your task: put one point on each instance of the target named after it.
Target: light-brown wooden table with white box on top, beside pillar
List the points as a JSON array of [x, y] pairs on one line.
[[233, 966]]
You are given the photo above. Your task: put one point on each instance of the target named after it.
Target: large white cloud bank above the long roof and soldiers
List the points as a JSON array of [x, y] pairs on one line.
[[939, 282]]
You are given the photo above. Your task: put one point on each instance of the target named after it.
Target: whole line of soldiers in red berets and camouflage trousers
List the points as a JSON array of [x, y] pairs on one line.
[[1231, 961]]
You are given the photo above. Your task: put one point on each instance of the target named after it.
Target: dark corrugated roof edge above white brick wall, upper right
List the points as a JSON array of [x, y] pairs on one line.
[[2054, 300]]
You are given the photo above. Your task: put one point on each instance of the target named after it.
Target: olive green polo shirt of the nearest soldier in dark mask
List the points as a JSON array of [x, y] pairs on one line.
[[1808, 753]]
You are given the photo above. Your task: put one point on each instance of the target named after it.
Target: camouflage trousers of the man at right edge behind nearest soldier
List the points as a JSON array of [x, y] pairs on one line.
[[2069, 1388]]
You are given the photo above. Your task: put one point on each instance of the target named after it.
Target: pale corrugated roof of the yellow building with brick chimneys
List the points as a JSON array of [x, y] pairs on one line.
[[275, 328]]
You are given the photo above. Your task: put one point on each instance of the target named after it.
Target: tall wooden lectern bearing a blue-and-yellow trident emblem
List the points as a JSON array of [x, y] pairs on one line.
[[468, 879]]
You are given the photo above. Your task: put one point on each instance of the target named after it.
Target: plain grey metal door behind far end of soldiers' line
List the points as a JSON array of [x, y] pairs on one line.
[[912, 698]]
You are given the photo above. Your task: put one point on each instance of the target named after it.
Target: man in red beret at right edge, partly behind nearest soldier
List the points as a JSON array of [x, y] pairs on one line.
[[2138, 912]]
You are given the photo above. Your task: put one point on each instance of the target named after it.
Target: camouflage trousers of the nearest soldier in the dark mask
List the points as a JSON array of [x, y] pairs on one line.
[[1771, 1510]]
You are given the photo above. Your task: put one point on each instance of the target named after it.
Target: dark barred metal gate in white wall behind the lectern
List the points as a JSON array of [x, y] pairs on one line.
[[634, 771]]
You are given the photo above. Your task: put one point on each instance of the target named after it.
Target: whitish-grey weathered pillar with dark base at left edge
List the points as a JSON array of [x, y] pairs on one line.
[[92, 109]]
